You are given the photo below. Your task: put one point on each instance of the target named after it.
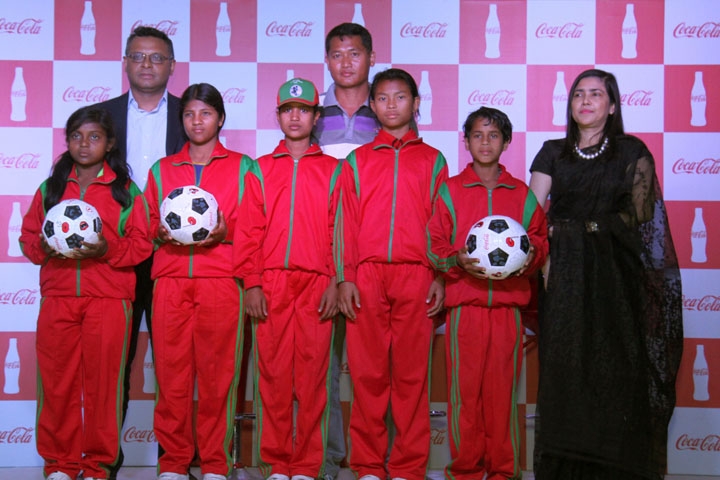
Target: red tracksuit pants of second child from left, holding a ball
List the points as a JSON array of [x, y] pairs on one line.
[[197, 337]]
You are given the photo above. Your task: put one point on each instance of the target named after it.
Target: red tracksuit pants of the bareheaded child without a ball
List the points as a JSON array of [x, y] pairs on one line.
[[388, 348]]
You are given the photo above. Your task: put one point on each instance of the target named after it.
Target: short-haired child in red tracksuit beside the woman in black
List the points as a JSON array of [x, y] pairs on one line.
[[483, 330]]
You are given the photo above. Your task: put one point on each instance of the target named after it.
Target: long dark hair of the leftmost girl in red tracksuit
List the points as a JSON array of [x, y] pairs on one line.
[[55, 185]]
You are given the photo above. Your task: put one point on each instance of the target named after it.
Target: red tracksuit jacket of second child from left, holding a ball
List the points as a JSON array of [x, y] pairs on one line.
[[177, 171]]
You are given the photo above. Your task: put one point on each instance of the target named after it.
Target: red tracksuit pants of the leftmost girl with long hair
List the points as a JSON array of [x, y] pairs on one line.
[[81, 347]]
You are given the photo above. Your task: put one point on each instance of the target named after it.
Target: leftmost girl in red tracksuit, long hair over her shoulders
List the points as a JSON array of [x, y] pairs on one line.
[[86, 310]]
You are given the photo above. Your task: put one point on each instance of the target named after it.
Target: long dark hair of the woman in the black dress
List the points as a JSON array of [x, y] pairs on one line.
[[614, 123]]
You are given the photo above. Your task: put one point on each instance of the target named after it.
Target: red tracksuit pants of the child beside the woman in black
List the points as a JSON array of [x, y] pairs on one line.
[[484, 358]]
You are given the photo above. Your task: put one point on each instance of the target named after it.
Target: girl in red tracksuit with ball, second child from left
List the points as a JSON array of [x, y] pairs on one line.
[[197, 301]]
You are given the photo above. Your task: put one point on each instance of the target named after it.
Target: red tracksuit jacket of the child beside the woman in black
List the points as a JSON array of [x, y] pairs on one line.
[[464, 200]]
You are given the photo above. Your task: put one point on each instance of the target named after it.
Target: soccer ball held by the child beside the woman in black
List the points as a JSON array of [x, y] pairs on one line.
[[500, 244]]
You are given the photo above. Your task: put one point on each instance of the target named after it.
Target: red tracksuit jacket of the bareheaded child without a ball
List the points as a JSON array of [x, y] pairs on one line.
[[388, 188]]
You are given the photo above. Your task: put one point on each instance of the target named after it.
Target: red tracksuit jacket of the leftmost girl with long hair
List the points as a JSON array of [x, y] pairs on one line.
[[125, 230]]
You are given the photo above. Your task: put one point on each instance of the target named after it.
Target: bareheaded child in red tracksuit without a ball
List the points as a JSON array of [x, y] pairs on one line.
[[387, 287]]
